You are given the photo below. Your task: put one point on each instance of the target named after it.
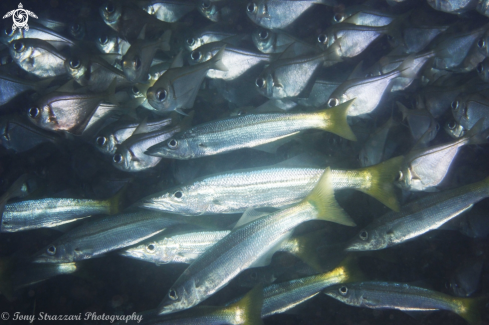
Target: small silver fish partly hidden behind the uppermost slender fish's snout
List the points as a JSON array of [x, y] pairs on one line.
[[130, 155]]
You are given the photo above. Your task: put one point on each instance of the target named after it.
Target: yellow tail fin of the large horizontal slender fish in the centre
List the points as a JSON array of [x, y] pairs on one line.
[[382, 177]]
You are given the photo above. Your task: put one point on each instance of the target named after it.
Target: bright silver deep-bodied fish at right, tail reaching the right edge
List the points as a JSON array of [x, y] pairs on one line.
[[425, 168]]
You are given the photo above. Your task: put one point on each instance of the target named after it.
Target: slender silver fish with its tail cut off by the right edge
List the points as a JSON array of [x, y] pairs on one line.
[[418, 217]]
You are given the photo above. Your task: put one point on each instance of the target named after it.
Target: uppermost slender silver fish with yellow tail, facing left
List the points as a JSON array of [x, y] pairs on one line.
[[250, 131]]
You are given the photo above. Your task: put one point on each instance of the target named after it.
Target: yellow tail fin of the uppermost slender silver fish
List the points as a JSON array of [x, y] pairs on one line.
[[336, 122]]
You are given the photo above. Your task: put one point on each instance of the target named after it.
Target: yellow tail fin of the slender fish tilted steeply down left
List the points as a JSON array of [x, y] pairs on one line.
[[323, 201]]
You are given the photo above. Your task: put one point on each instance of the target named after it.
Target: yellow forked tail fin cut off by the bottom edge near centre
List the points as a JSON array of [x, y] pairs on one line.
[[250, 306]]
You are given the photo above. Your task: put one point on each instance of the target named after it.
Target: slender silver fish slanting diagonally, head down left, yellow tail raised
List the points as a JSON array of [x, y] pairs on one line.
[[247, 245]]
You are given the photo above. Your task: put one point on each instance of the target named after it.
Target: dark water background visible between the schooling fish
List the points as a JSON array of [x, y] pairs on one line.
[[118, 285]]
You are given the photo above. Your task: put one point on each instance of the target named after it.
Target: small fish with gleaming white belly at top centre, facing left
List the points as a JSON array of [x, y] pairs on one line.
[[237, 60]]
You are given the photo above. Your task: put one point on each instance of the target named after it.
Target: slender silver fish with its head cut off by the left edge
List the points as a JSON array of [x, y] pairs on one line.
[[45, 213]]
